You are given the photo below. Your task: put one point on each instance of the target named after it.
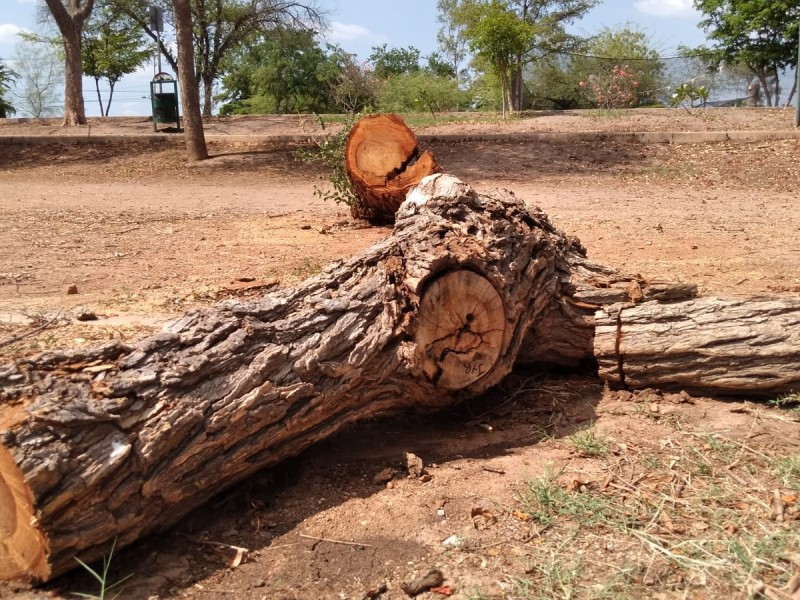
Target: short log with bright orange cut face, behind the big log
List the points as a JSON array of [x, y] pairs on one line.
[[384, 162]]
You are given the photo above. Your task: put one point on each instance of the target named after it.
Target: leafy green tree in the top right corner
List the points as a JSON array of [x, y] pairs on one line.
[[761, 34]]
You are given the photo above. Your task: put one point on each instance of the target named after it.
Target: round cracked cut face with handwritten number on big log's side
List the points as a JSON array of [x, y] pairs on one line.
[[461, 327]]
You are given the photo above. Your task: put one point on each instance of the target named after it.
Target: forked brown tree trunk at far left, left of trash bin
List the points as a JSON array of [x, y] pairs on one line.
[[70, 16]]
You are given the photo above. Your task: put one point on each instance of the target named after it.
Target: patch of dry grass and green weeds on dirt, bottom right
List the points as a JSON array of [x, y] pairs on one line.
[[695, 513]]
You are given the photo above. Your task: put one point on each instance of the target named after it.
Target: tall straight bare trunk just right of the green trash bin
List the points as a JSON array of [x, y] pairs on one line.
[[192, 120]]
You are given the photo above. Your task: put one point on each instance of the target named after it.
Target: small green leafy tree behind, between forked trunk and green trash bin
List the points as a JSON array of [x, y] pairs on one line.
[[112, 48]]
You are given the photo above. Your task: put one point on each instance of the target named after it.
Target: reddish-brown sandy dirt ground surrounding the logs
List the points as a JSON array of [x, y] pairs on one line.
[[141, 237]]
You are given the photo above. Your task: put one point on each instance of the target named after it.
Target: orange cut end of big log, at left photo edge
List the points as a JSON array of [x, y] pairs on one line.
[[23, 548]]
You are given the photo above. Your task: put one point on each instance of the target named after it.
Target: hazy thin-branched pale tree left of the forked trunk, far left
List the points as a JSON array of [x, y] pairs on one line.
[[40, 71]]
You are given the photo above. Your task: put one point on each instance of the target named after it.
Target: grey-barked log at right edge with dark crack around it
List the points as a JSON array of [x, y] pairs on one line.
[[729, 346]]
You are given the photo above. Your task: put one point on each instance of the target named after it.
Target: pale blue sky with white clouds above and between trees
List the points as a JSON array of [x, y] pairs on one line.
[[358, 25]]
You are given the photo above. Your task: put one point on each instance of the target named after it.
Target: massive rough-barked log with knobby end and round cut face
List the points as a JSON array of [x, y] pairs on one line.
[[121, 440]]
